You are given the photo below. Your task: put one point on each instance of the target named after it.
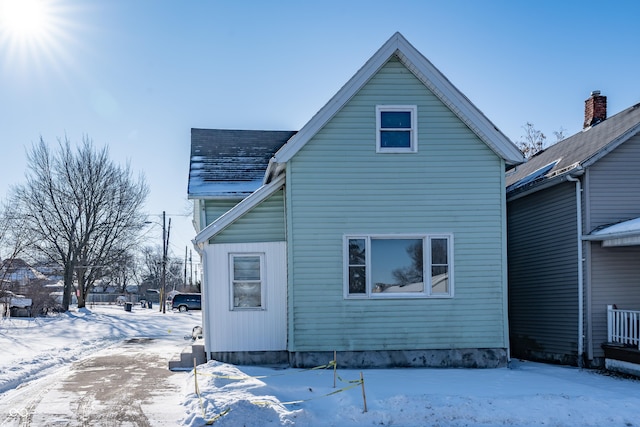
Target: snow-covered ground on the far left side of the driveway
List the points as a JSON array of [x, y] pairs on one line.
[[33, 347]]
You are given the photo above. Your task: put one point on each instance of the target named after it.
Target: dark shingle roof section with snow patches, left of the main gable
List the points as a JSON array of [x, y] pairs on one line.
[[230, 163]]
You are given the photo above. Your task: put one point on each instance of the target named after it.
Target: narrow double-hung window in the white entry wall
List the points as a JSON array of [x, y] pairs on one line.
[[247, 291]]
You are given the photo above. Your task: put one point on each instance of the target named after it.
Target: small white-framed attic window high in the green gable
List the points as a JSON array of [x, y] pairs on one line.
[[396, 129]]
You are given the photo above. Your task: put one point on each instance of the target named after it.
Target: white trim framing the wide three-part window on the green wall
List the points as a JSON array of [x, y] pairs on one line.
[[426, 253]]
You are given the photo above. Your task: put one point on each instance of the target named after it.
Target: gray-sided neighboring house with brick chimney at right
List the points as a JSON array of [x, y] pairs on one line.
[[571, 251]]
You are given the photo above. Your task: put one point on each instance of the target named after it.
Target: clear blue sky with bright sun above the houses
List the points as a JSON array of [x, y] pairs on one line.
[[138, 75]]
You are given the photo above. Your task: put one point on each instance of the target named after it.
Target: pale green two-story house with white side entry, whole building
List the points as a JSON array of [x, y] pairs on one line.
[[378, 230]]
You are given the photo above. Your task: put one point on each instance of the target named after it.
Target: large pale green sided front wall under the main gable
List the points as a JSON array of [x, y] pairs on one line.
[[338, 185]]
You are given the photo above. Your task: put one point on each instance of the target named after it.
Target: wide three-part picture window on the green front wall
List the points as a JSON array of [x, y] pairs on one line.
[[398, 266]]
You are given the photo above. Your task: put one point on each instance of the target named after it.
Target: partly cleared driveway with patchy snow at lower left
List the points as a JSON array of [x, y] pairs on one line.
[[128, 384]]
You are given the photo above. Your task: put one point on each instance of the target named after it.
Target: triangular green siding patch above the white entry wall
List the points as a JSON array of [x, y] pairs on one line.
[[264, 223]]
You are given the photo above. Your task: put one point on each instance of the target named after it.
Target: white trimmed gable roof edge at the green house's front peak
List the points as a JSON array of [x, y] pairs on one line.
[[430, 76]]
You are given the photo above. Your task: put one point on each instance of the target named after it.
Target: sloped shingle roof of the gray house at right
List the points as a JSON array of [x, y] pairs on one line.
[[572, 155]]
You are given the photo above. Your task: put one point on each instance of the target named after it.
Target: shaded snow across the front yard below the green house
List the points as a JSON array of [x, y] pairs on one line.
[[526, 394]]
